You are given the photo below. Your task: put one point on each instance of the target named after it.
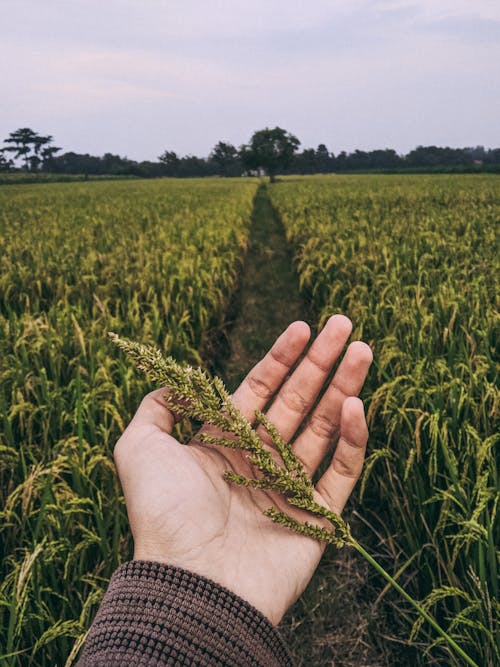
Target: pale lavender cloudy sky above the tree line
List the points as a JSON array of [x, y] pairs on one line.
[[138, 77]]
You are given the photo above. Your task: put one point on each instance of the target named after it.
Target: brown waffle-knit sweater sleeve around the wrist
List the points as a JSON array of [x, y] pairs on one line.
[[156, 614]]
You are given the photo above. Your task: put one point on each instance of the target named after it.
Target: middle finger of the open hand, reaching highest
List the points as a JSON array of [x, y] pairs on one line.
[[299, 392]]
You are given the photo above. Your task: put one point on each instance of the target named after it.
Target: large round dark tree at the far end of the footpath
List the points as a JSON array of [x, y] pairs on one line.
[[271, 150]]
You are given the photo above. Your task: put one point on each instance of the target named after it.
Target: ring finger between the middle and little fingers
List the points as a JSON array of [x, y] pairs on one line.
[[323, 427]]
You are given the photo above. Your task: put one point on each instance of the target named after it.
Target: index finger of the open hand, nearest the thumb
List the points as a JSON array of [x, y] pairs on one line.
[[264, 380]]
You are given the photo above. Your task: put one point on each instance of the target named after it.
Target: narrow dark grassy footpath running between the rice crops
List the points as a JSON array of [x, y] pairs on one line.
[[332, 624]]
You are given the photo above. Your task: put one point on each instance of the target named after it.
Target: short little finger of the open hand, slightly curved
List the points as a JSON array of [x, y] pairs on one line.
[[336, 485]]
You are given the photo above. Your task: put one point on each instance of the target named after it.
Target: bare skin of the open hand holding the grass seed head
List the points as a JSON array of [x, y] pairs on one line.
[[183, 513]]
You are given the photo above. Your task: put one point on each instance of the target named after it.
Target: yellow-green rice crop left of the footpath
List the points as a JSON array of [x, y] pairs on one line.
[[155, 261]]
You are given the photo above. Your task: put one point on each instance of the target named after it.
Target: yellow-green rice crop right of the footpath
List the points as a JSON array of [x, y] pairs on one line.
[[413, 261]]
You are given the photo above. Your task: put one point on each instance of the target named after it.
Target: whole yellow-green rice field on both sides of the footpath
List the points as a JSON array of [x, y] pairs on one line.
[[412, 260]]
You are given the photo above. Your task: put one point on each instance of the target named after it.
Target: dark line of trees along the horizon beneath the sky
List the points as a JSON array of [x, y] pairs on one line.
[[269, 151]]
